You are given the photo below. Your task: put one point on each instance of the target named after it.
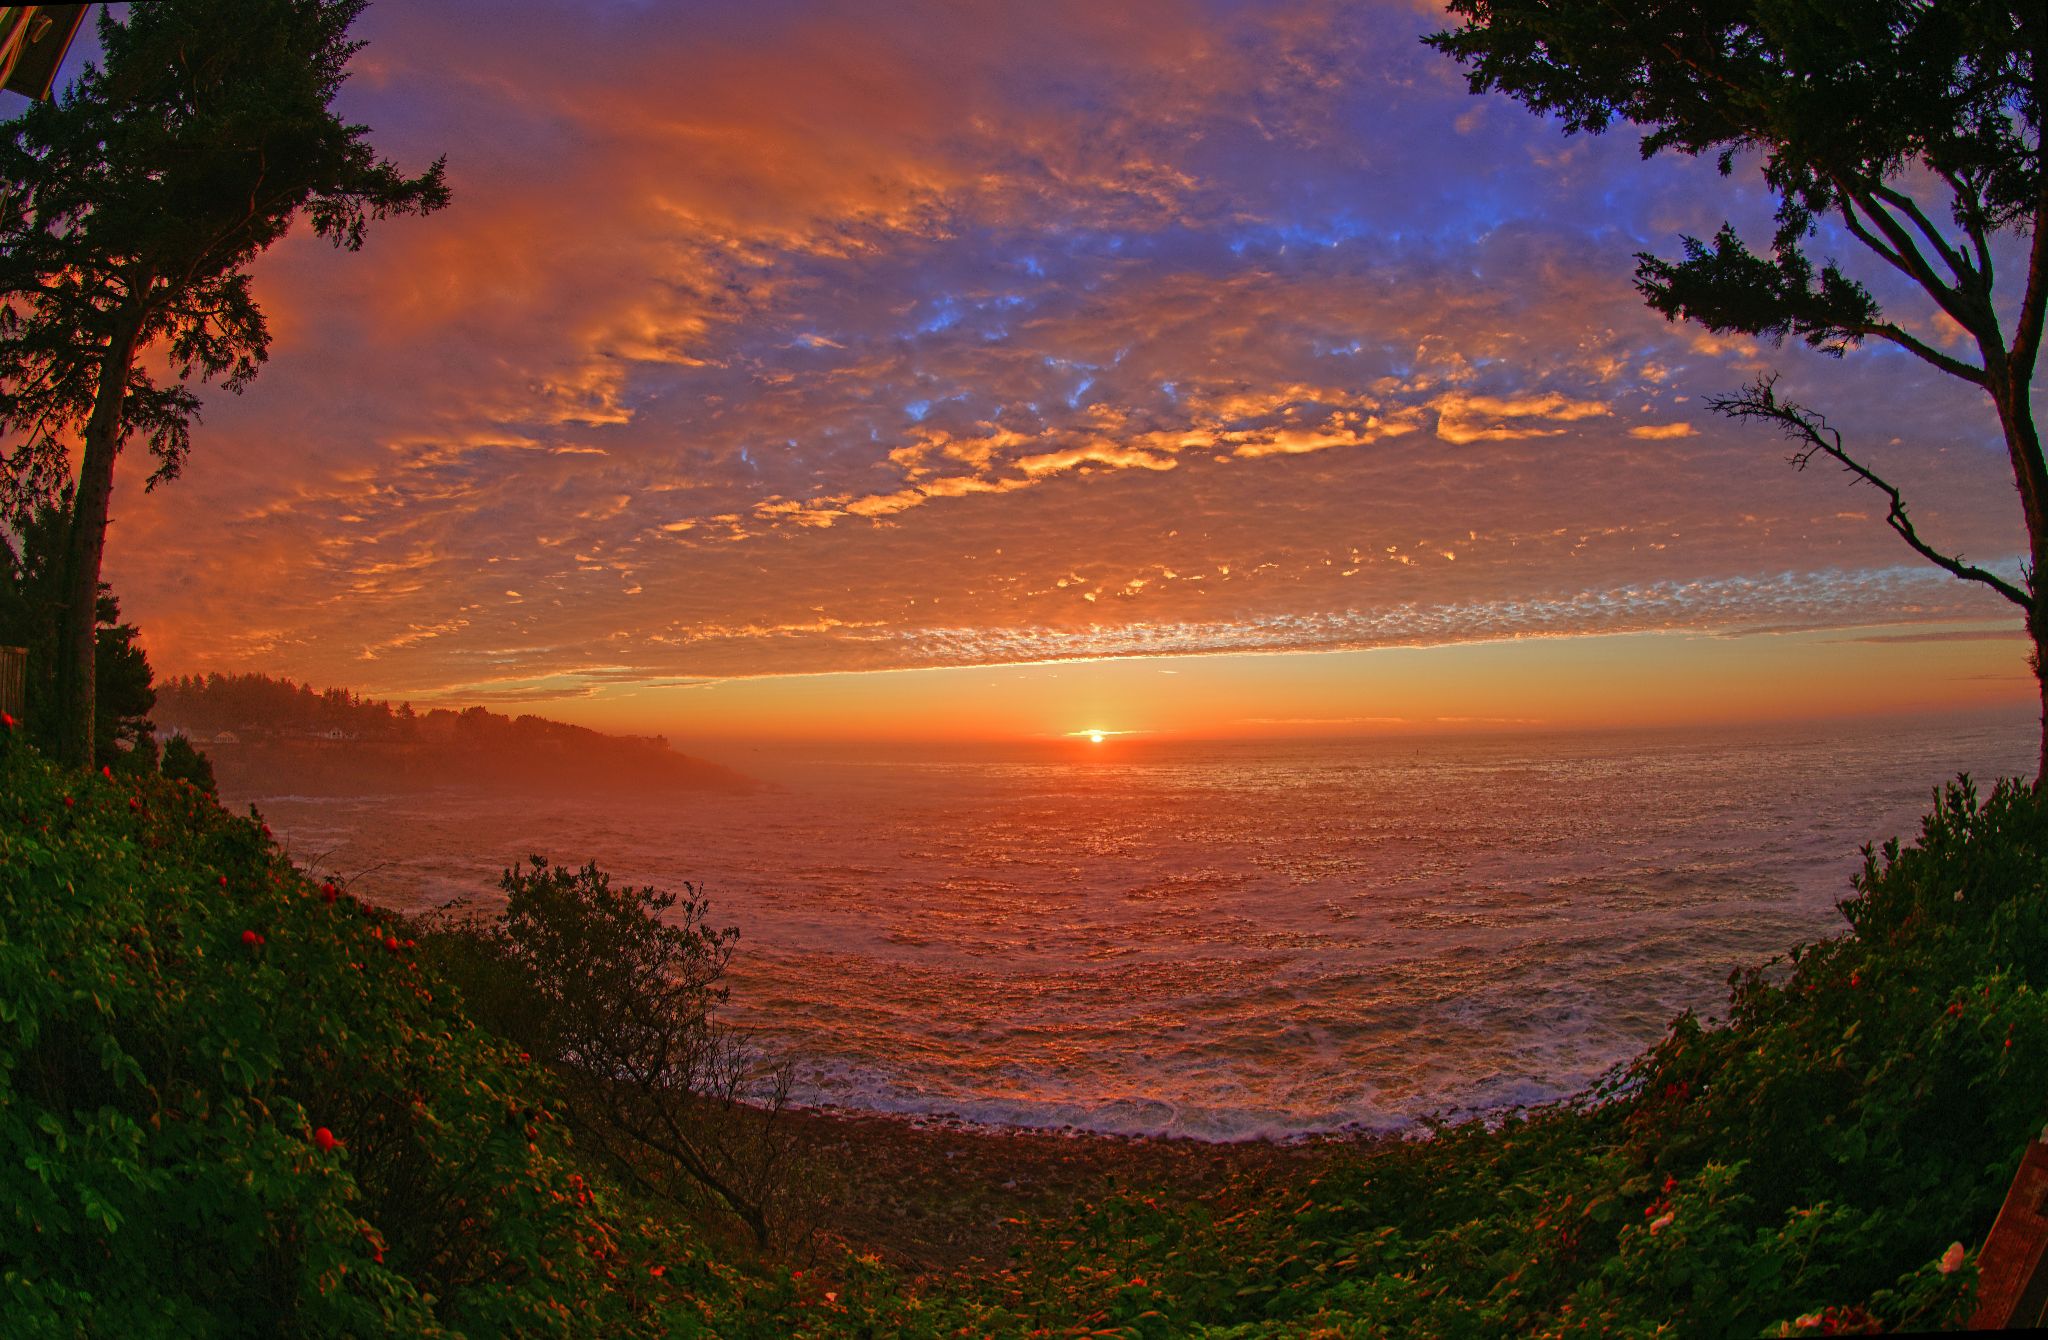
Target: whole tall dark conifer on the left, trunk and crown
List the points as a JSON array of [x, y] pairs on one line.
[[130, 212]]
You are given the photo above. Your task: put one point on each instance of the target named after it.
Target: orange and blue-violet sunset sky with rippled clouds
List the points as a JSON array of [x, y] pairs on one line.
[[986, 370]]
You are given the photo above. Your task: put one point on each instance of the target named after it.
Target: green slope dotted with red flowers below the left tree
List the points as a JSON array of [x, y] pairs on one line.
[[228, 1093]]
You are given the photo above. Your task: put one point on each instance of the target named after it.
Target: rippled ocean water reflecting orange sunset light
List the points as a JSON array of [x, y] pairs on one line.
[[1222, 939]]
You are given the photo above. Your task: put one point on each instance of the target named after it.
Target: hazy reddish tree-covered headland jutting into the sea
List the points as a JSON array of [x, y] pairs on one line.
[[263, 732]]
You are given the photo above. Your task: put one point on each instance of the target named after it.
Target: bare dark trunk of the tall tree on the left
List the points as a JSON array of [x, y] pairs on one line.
[[79, 628]]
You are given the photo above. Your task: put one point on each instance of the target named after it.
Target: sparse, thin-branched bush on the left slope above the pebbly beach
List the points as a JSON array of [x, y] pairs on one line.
[[620, 989]]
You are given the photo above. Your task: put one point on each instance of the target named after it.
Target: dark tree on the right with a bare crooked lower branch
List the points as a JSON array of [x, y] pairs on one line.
[[1912, 126]]
